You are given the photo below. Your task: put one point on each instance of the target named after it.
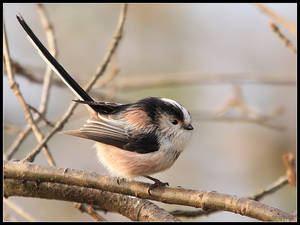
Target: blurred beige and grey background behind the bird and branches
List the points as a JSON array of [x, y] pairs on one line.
[[167, 40]]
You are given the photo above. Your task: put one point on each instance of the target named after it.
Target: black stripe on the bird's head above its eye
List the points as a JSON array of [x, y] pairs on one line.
[[153, 106]]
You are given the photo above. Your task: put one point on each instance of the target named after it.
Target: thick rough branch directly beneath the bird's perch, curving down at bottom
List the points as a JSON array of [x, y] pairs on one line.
[[134, 208]]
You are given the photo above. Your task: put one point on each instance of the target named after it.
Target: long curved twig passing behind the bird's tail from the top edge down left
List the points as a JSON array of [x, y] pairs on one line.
[[112, 47]]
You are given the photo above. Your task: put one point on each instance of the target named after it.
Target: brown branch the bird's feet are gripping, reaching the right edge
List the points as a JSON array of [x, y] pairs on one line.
[[179, 196]]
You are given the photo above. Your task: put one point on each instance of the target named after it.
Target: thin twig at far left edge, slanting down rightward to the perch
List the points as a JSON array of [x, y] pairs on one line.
[[15, 88]]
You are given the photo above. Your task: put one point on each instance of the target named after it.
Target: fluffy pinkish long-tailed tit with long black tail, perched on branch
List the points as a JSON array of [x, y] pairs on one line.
[[132, 140]]
